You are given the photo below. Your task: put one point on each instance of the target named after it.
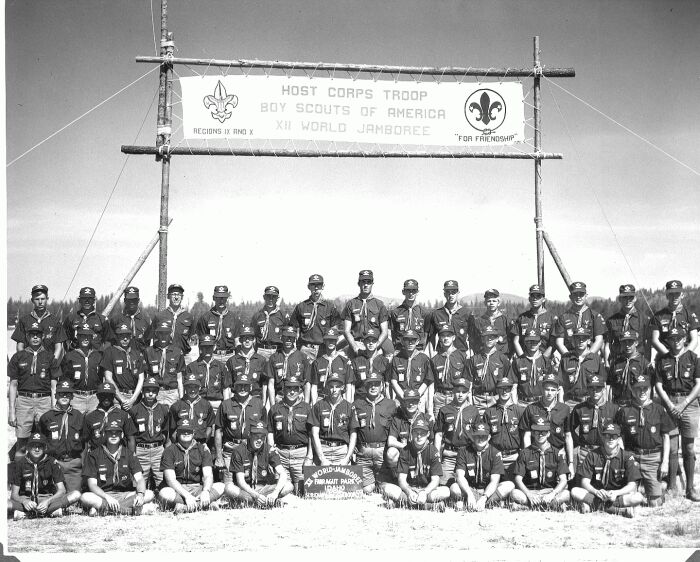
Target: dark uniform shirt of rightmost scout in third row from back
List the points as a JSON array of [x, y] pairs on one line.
[[644, 431]]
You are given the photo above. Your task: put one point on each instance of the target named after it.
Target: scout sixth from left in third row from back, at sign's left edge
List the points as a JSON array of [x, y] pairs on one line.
[[289, 431]]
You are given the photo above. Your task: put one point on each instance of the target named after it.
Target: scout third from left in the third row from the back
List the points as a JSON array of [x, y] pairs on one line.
[[151, 419]]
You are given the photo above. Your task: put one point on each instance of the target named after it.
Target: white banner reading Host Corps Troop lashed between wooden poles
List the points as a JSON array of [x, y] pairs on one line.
[[344, 110]]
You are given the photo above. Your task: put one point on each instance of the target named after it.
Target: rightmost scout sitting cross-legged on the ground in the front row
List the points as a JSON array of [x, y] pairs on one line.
[[609, 477]]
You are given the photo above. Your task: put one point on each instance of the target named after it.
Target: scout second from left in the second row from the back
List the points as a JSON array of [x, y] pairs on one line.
[[81, 366]]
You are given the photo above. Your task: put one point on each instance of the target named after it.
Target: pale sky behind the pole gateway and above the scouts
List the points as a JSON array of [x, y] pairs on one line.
[[250, 222]]
